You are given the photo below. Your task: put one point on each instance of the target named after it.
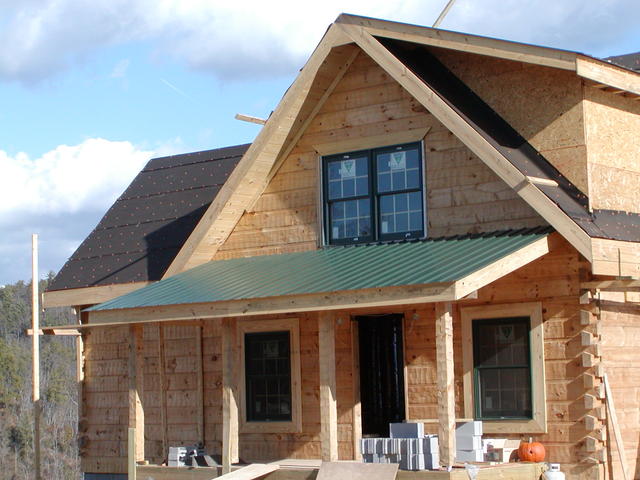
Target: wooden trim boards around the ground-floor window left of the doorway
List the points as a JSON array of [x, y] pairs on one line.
[[261, 326]]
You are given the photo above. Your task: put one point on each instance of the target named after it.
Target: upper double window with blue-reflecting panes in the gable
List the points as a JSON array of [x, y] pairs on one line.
[[374, 195]]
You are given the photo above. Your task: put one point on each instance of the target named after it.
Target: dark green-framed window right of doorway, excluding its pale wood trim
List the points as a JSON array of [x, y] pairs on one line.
[[502, 368]]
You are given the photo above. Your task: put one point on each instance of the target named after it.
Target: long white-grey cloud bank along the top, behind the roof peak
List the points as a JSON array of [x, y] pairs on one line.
[[249, 38]]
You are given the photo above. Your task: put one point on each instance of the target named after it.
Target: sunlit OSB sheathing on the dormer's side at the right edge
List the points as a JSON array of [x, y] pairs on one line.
[[612, 124]]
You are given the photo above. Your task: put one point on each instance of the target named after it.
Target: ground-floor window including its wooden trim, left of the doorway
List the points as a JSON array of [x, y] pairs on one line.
[[270, 375]]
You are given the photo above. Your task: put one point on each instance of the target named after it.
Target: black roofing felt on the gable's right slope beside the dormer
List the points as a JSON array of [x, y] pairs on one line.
[[503, 137]]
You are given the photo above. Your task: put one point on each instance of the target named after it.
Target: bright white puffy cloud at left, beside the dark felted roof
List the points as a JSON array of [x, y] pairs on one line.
[[68, 179]]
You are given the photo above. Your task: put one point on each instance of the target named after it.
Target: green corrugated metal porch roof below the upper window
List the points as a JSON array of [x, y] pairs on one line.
[[331, 269]]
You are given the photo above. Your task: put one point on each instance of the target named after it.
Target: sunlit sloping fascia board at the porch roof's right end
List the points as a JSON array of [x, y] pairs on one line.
[[503, 267]]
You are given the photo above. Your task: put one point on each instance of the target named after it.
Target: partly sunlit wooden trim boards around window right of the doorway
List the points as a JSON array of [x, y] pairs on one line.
[[533, 310]]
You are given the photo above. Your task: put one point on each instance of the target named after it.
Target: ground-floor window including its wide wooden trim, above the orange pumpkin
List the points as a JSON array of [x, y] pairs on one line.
[[503, 361]]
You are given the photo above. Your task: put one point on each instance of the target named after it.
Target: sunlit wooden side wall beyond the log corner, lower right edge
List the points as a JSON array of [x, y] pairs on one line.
[[621, 356]]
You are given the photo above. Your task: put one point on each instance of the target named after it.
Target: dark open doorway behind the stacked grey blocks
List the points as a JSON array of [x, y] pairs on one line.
[[381, 373]]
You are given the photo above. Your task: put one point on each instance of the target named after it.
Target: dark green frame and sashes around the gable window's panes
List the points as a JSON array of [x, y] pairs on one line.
[[373, 195]]
